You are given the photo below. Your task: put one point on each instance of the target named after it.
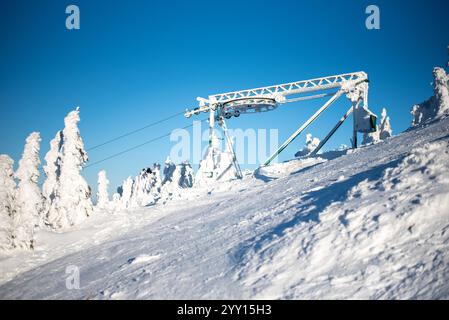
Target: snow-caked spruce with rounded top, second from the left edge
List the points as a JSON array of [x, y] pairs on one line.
[[29, 196]]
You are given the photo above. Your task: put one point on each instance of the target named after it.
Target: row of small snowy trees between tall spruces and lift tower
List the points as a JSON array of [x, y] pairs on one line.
[[152, 186]]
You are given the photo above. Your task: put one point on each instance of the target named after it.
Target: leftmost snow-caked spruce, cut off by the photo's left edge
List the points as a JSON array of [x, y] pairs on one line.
[[7, 201]]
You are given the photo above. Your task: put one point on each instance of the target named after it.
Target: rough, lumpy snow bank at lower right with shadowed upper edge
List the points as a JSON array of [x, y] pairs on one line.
[[387, 238]]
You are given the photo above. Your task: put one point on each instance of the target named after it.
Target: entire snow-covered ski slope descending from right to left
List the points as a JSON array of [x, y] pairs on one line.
[[373, 223]]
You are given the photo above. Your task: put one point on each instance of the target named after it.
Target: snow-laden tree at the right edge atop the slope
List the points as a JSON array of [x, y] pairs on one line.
[[436, 106]]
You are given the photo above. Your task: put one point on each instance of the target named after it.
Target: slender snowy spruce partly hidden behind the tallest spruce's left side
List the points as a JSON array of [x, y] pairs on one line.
[[52, 170]]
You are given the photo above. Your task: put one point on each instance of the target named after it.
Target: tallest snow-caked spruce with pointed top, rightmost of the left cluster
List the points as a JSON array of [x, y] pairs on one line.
[[73, 203]]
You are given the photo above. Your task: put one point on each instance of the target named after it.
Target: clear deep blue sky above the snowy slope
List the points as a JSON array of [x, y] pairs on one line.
[[134, 62]]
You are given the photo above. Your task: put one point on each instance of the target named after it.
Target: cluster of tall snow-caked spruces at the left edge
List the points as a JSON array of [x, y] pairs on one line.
[[65, 196]]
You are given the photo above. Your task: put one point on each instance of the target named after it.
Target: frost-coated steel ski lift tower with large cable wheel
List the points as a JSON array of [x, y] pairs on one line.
[[233, 104]]
